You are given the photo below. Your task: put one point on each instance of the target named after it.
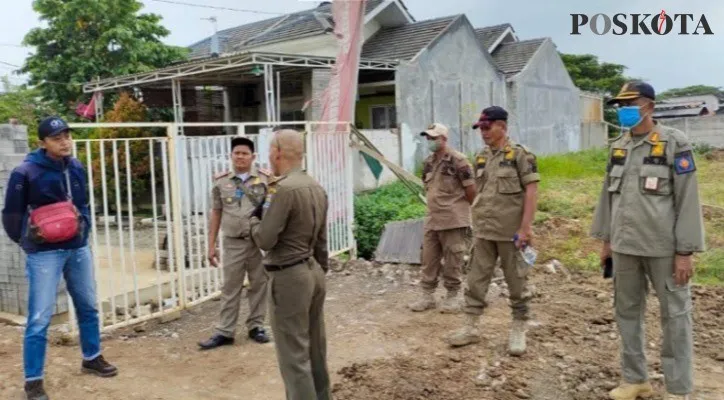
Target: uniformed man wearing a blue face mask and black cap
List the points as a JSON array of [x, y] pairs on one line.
[[649, 218]]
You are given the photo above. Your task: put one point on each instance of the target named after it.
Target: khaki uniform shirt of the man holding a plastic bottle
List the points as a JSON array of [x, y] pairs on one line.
[[501, 177]]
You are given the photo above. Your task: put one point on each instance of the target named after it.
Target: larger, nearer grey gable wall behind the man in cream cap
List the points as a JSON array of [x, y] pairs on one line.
[[450, 83]]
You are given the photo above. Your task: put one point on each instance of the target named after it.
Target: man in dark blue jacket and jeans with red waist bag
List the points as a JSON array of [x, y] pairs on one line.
[[51, 177]]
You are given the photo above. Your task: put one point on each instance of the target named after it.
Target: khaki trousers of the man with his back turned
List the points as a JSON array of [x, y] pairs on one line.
[[297, 320]]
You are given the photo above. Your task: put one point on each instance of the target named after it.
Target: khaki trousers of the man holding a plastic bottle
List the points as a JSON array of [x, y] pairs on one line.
[[485, 256]]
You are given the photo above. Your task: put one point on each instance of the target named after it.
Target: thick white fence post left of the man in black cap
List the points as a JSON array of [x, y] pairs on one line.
[[173, 157]]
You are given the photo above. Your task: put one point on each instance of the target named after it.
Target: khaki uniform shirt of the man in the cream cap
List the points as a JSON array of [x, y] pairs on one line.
[[445, 181]]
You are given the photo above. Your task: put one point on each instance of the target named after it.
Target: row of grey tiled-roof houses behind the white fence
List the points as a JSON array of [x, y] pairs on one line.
[[411, 73]]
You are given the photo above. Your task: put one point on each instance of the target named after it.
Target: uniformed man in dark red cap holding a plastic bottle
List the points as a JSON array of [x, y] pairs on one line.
[[506, 176]]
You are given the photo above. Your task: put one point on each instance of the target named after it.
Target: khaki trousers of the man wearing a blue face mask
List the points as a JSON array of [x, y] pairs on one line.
[[631, 288]]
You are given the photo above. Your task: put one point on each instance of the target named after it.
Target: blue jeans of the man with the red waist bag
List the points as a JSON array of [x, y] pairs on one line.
[[44, 270]]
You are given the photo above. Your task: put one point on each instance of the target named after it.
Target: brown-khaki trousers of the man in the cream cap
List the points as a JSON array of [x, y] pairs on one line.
[[449, 244]]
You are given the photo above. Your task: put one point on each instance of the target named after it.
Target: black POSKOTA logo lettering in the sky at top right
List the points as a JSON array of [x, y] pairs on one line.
[[642, 24]]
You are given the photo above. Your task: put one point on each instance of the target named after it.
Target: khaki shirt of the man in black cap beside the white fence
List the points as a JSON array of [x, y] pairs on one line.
[[229, 196]]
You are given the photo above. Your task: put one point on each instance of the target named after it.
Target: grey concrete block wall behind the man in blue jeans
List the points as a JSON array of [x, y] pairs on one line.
[[13, 283]]
